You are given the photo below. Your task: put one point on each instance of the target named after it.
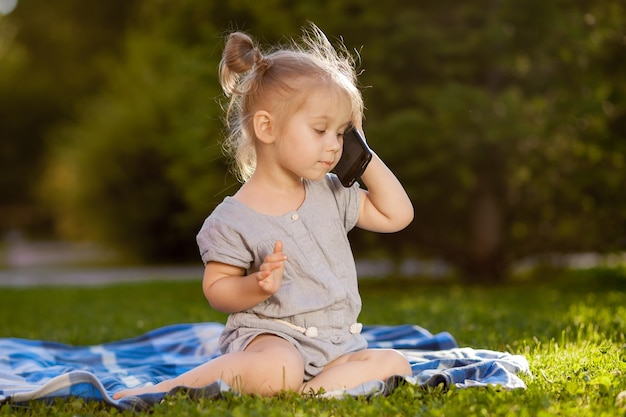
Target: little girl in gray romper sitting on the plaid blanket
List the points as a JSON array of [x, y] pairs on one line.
[[276, 254]]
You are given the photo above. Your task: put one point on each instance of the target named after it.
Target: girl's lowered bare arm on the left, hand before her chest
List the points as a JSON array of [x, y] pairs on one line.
[[228, 290]]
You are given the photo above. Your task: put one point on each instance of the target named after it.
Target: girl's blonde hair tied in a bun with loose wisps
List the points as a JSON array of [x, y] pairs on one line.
[[254, 80]]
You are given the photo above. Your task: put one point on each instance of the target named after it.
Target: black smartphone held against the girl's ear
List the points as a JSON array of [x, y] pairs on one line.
[[354, 158]]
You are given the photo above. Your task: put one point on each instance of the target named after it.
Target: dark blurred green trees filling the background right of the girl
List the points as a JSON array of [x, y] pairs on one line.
[[510, 117]]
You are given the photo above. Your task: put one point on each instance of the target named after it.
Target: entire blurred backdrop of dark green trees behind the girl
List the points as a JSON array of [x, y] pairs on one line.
[[505, 120]]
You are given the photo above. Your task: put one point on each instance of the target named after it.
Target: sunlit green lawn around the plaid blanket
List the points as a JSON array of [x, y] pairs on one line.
[[571, 327]]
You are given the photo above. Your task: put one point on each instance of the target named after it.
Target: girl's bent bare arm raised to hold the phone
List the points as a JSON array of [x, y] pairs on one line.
[[385, 206]]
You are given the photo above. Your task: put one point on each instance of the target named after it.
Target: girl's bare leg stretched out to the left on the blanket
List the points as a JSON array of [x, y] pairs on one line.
[[269, 365]]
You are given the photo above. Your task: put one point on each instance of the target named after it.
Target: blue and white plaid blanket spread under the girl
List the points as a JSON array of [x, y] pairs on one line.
[[45, 371]]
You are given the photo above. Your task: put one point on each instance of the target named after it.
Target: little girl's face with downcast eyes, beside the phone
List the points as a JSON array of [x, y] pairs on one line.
[[311, 142]]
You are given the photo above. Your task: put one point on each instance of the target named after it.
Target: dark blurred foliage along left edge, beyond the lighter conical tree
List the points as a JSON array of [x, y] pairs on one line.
[[51, 56]]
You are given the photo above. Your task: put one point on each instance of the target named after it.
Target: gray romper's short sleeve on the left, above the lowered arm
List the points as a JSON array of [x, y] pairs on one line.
[[219, 240]]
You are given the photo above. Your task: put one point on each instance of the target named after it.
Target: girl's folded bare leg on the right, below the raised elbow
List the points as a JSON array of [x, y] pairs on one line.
[[354, 369]]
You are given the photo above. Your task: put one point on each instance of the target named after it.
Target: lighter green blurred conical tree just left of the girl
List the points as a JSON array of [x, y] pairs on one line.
[[142, 167]]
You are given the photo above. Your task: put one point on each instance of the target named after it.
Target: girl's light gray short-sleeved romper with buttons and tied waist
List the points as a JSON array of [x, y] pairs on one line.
[[317, 305]]
